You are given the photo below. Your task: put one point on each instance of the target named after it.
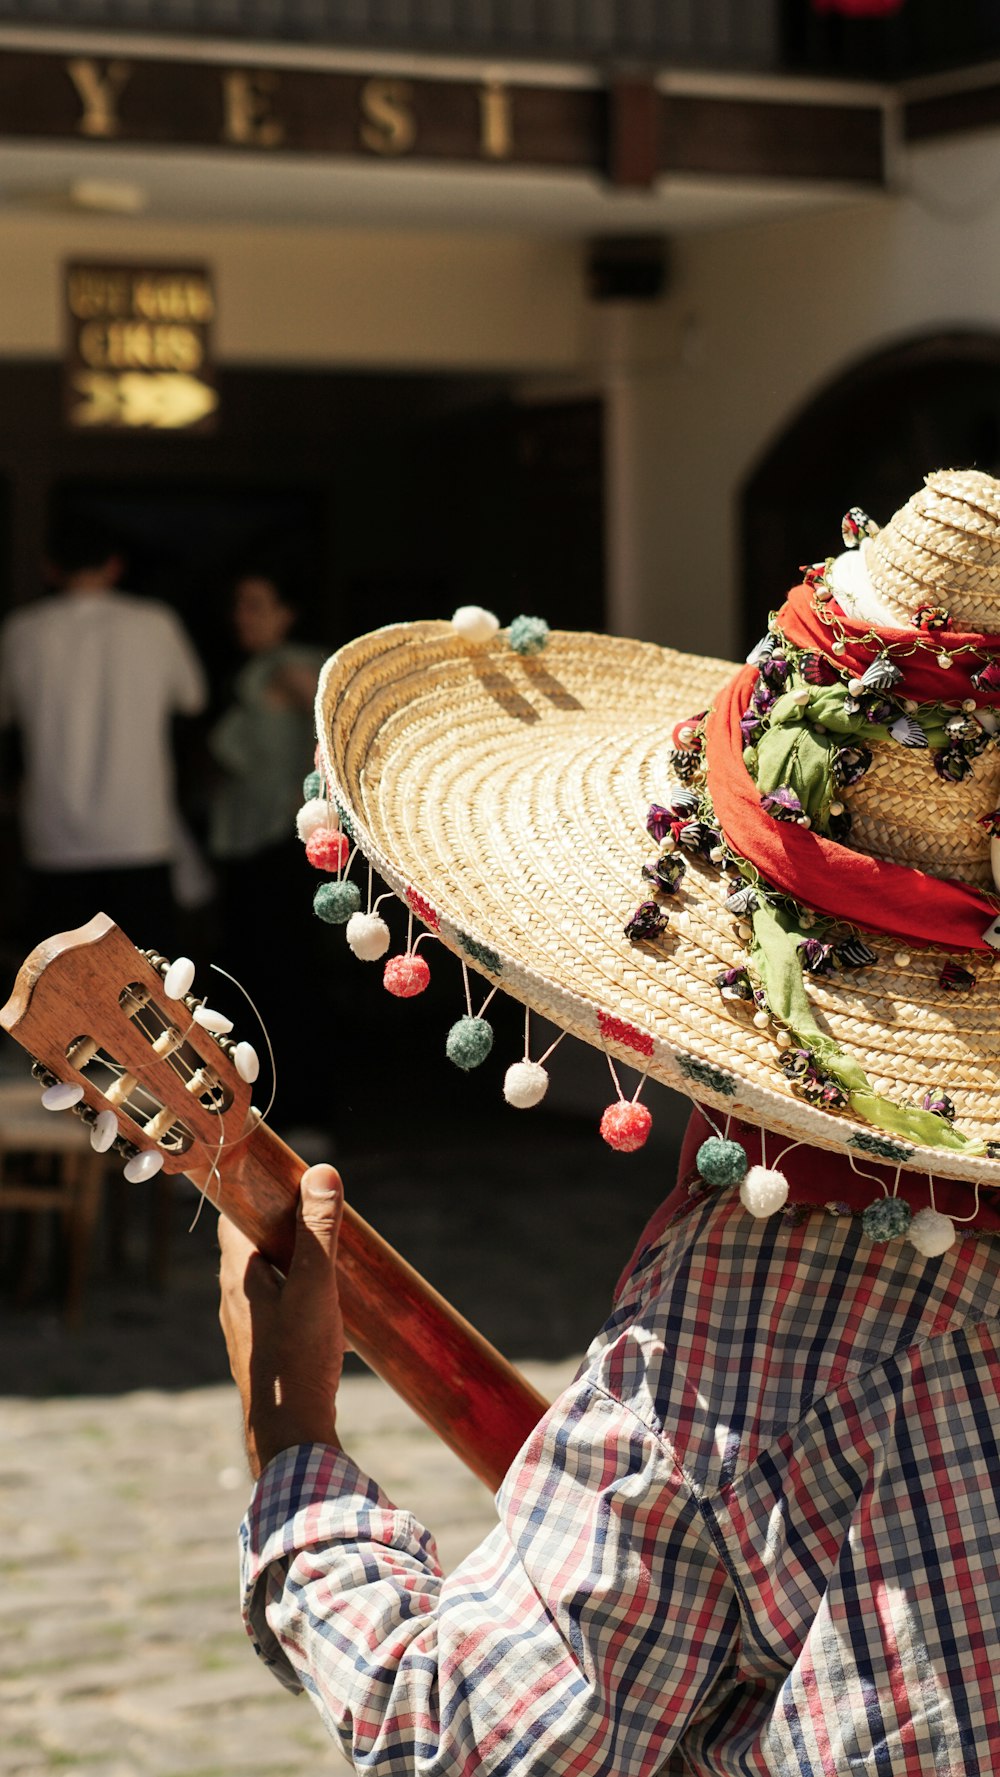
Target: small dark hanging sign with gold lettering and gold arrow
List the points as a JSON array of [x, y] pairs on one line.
[[139, 349]]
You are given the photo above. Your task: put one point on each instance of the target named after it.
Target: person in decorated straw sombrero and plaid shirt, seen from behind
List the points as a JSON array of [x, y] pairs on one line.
[[761, 1533]]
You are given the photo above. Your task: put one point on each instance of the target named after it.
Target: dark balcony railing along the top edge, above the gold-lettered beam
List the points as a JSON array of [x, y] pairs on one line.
[[859, 38]]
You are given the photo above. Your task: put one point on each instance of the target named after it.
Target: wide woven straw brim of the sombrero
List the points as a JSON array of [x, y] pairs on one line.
[[504, 799]]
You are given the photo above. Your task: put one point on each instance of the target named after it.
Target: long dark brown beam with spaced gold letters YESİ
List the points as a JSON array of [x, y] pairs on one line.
[[623, 129]]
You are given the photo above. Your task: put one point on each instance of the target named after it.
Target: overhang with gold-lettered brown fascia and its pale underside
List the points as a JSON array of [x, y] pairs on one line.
[[250, 132]]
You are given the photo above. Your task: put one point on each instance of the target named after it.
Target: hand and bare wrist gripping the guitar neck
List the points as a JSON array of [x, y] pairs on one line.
[[287, 1341]]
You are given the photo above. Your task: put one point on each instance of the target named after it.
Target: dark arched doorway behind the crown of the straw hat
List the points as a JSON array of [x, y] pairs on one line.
[[866, 442]]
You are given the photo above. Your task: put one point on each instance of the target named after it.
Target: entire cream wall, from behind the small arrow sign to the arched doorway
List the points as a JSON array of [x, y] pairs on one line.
[[756, 323]]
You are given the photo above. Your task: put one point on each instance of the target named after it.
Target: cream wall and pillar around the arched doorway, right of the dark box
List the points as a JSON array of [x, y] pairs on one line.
[[756, 324]]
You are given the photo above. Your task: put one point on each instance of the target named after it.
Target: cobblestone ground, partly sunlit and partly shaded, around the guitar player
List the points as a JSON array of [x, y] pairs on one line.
[[123, 1479]]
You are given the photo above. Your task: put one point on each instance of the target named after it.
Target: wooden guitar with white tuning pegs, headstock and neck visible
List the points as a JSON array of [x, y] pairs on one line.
[[93, 1014]]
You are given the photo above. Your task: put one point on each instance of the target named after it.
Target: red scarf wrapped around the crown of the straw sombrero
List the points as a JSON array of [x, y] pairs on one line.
[[885, 898]]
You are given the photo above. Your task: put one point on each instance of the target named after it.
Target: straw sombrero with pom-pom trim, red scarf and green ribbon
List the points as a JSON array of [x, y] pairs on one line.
[[765, 886]]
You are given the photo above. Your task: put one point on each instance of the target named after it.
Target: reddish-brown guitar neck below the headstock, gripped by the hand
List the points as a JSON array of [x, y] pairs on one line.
[[477, 1401]]
